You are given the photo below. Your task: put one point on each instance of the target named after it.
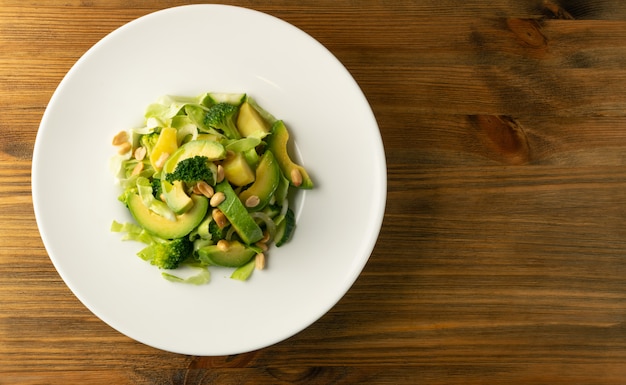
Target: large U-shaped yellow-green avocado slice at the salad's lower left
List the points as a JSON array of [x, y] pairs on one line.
[[164, 228]]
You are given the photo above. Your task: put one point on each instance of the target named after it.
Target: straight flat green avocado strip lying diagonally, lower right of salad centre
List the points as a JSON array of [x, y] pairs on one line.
[[237, 215]]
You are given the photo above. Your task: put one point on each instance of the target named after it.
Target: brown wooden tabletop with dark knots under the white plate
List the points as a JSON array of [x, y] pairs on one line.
[[502, 256]]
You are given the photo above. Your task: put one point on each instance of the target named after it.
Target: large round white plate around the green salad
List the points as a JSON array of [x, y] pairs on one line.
[[187, 51]]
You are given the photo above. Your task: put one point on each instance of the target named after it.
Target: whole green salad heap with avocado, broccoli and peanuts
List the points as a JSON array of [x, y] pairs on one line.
[[207, 181]]
